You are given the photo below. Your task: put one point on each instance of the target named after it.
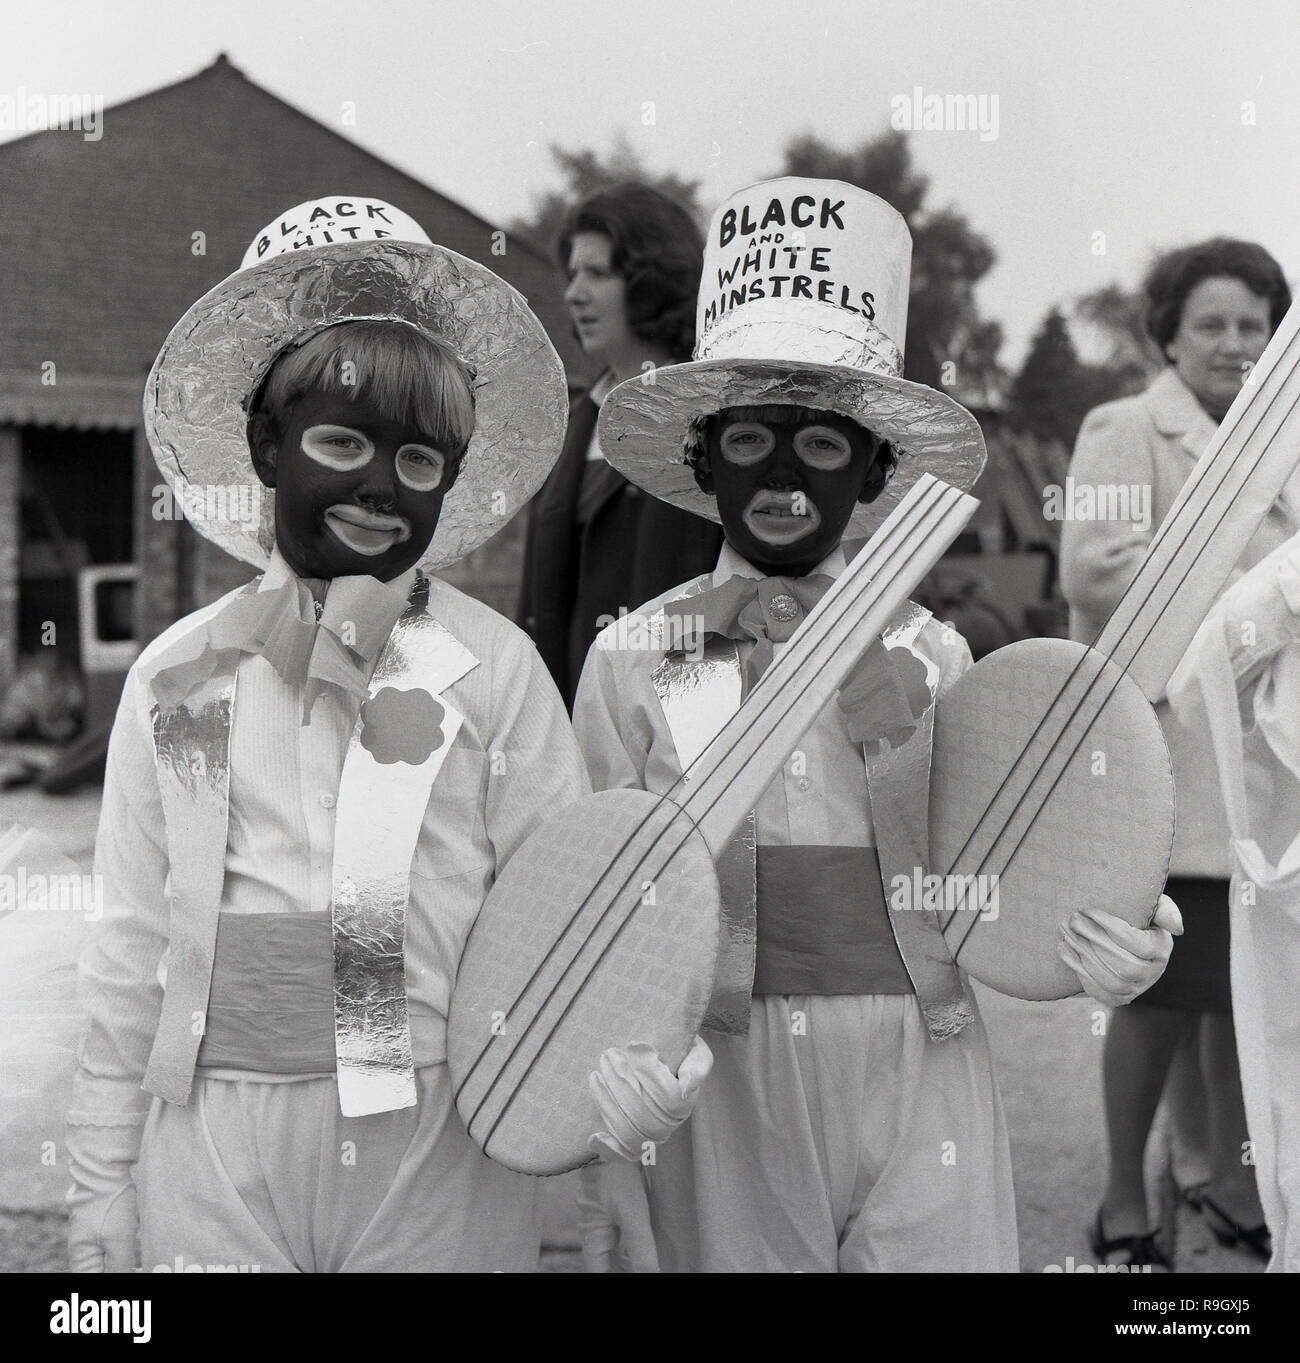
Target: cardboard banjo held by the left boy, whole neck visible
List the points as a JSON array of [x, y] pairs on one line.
[[603, 929]]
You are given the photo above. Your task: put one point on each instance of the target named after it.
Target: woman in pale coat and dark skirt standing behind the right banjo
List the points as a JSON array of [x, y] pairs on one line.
[[1211, 310]]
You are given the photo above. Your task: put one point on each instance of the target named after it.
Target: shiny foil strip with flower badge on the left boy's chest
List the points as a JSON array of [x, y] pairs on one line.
[[399, 745]]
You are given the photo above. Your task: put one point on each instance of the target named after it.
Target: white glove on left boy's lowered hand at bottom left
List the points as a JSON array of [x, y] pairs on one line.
[[103, 1219]]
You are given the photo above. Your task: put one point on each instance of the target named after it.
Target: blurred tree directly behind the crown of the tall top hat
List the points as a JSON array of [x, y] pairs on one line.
[[949, 346]]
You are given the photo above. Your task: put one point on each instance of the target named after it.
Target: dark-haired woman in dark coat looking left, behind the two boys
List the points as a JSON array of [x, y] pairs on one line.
[[596, 545]]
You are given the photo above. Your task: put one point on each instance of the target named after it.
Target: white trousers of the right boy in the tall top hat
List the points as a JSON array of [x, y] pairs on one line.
[[839, 1137]]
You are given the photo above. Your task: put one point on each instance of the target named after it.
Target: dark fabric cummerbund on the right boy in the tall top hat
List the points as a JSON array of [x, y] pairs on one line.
[[824, 925]]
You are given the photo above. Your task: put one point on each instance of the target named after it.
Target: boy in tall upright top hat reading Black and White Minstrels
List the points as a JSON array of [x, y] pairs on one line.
[[851, 1121]]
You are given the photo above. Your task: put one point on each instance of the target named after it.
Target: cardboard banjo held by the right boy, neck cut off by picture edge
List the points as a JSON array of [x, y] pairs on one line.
[[1050, 767]]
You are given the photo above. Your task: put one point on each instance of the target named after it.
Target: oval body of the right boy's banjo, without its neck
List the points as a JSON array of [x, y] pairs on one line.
[[1051, 774]]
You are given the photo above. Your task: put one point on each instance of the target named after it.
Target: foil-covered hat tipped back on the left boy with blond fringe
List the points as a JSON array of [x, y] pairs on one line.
[[351, 260]]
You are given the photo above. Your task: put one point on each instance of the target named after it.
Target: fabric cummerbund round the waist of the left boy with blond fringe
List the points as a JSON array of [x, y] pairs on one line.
[[272, 1004]]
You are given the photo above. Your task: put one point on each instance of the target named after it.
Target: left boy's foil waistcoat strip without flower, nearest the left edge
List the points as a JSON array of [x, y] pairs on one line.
[[193, 761]]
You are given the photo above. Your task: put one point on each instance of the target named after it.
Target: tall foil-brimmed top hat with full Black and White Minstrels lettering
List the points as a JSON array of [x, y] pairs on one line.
[[803, 302]]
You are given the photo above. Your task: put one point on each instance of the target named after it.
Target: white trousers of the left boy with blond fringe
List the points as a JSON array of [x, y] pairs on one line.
[[270, 1178]]
